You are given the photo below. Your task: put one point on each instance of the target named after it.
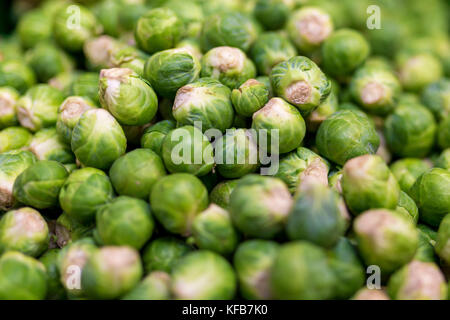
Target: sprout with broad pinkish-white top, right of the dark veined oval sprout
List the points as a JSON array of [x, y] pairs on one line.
[[228, 65]]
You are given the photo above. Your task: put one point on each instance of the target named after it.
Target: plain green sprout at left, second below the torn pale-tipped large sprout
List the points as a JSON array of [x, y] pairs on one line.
[[84, 191]]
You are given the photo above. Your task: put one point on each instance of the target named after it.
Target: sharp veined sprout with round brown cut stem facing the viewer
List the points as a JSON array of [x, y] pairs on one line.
[[300, 82]]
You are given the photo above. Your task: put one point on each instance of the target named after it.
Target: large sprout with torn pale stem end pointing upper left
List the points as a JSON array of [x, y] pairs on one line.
[[127, 97]]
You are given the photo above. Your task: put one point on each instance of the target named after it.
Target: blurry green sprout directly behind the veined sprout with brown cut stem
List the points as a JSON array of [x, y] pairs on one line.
[[270, 49]]
